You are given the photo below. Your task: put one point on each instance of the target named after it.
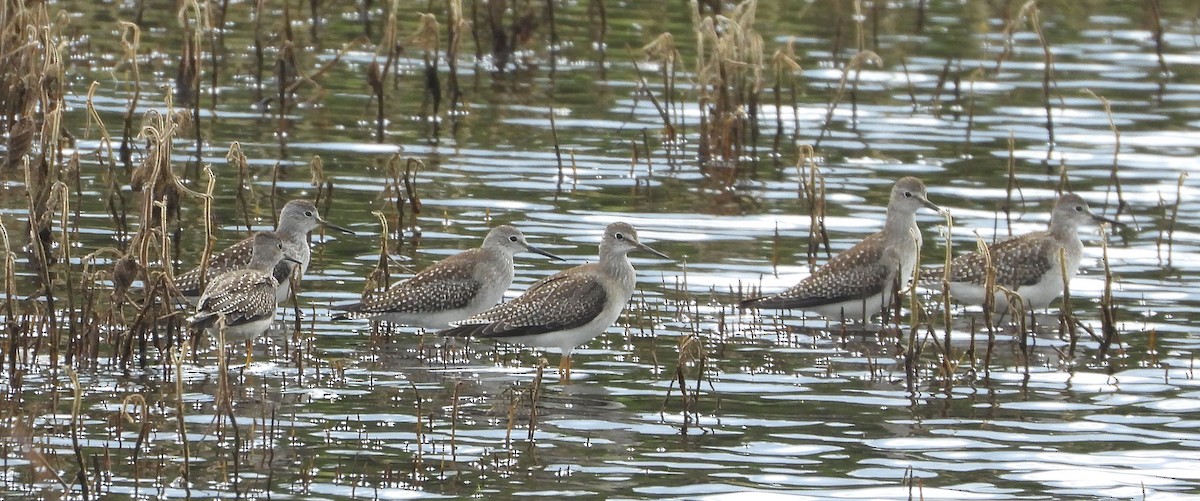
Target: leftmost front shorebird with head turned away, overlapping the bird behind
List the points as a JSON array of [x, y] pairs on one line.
[[245, 298]]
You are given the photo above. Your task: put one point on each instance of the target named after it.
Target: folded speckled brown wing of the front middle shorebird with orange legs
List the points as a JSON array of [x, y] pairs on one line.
[[560, 303]]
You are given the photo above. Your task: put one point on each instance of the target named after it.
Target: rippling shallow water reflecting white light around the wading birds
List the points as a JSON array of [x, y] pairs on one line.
[[778, 405]]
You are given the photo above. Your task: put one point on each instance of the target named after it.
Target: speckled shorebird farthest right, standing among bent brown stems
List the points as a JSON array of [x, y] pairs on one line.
[[1028, 265]]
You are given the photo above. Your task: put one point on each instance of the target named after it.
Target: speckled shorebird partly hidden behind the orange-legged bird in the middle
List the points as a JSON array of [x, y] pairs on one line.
[[452, 289]]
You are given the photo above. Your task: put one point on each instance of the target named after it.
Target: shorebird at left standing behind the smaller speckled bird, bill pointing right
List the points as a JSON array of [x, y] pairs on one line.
[[297, 220]]
